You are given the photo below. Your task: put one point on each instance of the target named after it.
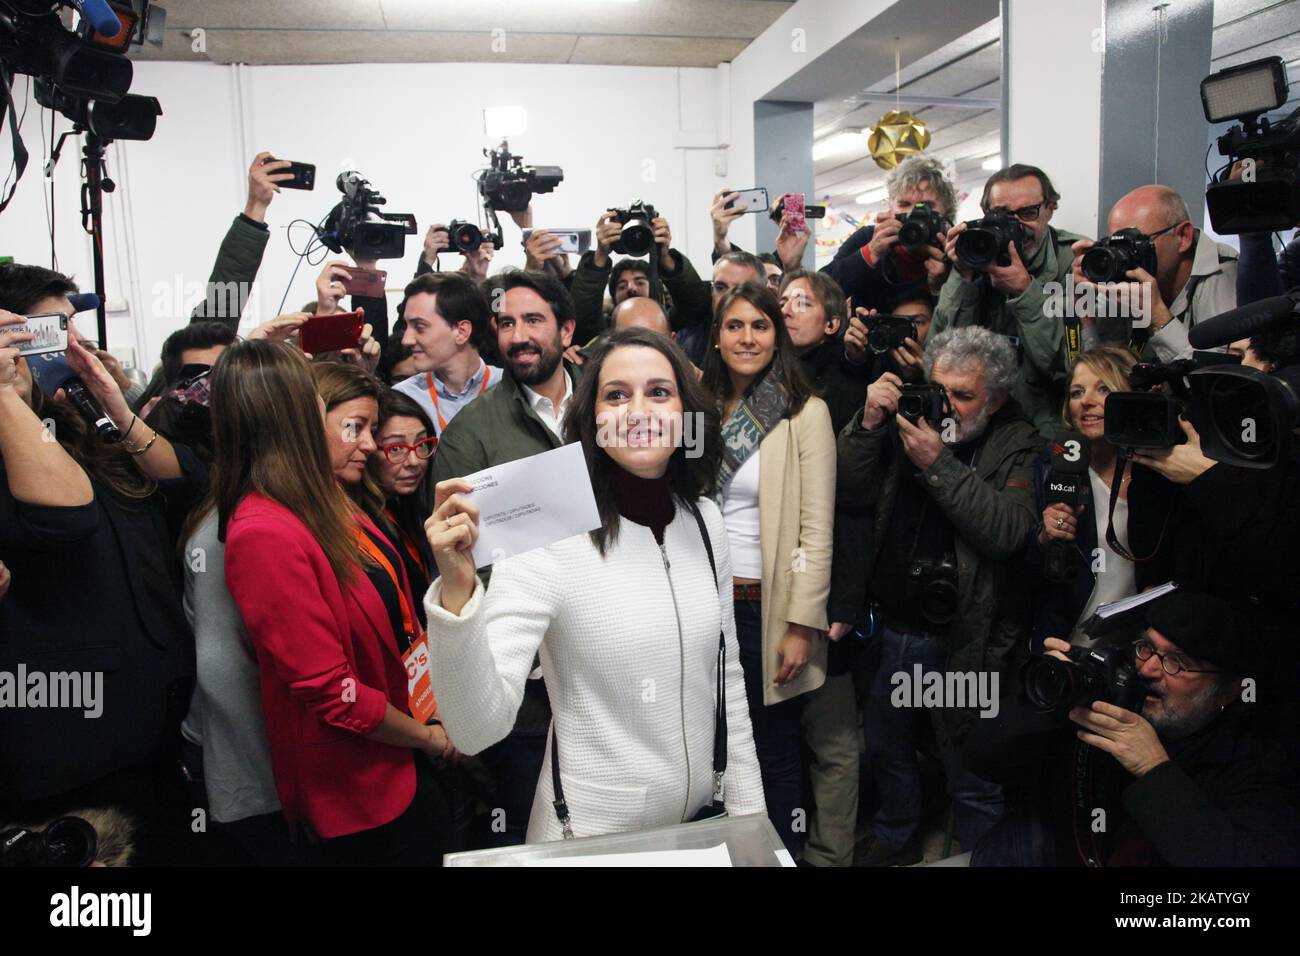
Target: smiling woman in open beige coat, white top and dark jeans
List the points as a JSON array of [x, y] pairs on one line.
[[777, 488]]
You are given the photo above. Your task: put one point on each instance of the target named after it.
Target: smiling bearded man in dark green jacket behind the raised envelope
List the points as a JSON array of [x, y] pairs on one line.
[[534, 321]]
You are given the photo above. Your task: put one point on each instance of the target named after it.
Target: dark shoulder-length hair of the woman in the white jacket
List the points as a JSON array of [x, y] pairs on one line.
[[688, 478]]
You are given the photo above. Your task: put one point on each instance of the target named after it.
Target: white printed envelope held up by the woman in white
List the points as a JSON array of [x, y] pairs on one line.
[[532, 503]]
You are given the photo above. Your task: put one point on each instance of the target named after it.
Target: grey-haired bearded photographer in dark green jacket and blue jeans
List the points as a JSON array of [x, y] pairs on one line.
[[946, 524]]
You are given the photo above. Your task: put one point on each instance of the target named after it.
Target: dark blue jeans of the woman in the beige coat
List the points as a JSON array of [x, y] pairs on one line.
[[778, 733]]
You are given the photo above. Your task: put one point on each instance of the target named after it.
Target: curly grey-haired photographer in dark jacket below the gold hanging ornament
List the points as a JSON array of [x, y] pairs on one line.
[[872, 267]]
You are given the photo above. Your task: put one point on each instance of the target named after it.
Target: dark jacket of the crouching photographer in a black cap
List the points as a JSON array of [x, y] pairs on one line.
[[1227, 798]]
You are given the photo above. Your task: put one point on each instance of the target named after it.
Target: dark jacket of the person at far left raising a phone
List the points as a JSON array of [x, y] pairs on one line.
[[97, 590]]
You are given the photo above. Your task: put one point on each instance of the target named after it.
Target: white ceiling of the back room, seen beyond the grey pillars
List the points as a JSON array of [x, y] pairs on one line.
[[972, 67]]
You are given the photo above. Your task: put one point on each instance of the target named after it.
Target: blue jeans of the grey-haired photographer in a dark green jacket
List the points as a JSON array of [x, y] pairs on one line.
[[892, 749]]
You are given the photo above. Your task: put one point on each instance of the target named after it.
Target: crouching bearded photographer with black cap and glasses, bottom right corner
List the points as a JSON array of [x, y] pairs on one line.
[[1186, 778]]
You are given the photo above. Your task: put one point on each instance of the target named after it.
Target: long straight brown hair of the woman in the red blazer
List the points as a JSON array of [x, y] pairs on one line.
[[268, 439]]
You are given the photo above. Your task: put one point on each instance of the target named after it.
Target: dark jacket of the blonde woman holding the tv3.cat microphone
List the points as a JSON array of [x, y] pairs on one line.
[[1155, 513]]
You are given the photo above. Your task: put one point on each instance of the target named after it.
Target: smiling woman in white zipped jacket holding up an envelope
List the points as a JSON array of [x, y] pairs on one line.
[[627, 618]]
